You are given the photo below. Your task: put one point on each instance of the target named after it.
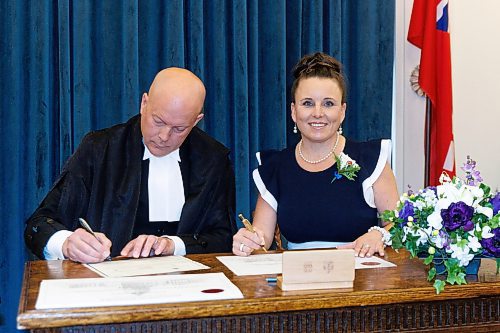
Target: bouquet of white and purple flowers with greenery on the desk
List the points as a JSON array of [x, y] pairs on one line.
[[449, 225]]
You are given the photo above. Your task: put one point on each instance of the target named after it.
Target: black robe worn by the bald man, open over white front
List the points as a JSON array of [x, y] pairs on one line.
[[101, 182]]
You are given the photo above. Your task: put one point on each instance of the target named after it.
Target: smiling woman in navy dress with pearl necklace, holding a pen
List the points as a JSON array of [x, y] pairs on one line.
[[326, 191]]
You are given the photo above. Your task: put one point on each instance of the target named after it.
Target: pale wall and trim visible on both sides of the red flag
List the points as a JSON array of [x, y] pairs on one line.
[[475, 45]]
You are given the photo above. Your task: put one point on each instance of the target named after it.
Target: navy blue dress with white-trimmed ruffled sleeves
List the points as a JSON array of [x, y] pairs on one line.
[[310, 207]]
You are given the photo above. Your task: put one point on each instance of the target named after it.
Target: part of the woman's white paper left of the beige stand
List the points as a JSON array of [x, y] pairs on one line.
[[253, 265]]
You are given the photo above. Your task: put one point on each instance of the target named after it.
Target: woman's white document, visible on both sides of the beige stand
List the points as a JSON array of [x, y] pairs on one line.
[[272, 264]]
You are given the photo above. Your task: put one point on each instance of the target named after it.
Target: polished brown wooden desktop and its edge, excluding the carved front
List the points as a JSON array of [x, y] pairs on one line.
[[405, 283]]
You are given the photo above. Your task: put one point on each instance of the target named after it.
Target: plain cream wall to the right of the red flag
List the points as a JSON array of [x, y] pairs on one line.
[[475, 42]]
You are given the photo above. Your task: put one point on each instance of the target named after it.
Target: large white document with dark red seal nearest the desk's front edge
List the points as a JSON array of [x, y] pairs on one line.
[[95, 292]]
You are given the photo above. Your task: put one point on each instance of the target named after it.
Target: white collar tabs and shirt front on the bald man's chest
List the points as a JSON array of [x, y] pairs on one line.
[[165, 187]]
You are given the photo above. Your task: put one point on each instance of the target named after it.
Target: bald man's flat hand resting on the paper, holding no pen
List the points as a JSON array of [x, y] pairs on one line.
[[148, 245]]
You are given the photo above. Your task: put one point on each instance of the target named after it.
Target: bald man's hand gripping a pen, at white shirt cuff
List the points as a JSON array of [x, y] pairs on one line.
[[81, 246]]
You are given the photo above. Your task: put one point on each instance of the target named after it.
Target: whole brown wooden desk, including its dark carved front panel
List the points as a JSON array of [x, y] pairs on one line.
[[397, 299]]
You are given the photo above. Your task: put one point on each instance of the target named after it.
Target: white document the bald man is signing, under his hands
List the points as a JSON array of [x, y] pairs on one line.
[[145, 266]]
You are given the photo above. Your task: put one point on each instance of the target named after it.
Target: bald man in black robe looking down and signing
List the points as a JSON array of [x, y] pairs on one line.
[[155, 185]]
